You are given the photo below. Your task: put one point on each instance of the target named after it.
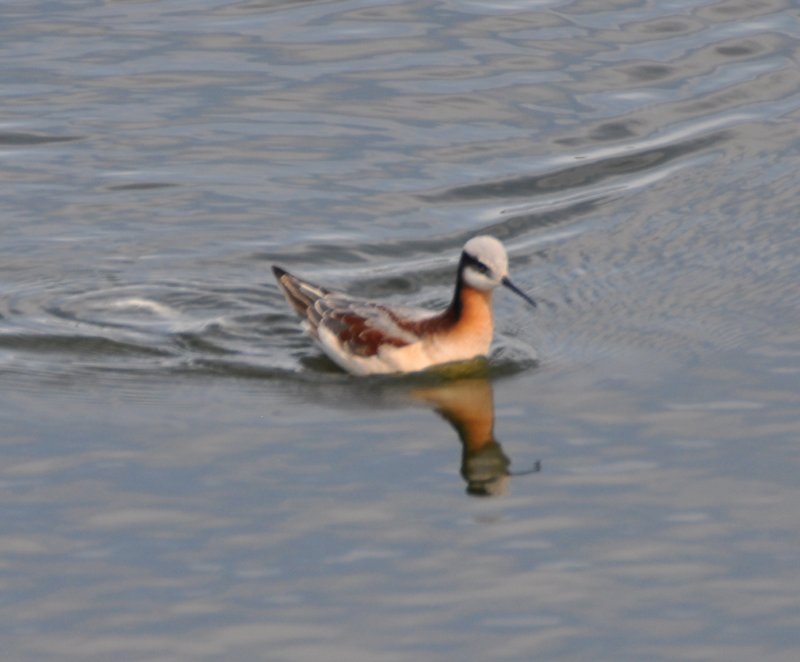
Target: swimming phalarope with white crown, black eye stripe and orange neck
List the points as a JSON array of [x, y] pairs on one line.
[[366, 337]]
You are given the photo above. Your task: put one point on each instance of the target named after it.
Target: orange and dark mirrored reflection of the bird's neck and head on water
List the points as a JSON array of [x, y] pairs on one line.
[[468, 405]]
